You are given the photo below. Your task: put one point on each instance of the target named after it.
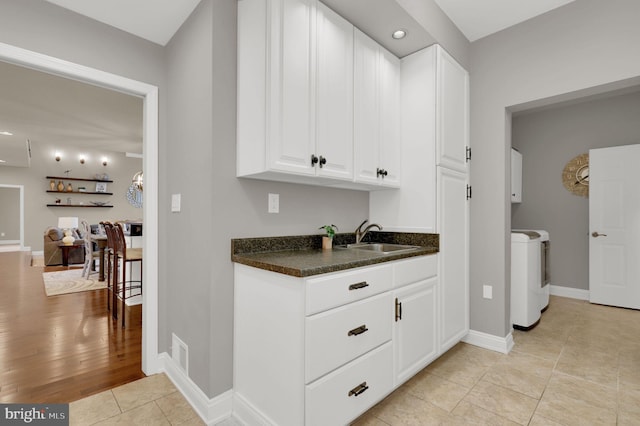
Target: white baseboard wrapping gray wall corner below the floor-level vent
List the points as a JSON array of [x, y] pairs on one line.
[[211, 410]]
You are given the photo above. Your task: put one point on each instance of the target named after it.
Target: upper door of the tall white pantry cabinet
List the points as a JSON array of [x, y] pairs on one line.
[[452, 113]]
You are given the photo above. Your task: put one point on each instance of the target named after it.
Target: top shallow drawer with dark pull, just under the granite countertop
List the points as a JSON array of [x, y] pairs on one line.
[[329, 291]]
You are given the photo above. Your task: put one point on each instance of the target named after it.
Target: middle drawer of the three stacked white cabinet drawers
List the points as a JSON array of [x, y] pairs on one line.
[[335, 337]]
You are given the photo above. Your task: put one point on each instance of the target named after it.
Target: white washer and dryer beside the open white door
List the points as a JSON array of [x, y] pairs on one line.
[[529, 277]]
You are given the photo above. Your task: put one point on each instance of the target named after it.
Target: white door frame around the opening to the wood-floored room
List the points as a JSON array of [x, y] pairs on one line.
[[149, 94]]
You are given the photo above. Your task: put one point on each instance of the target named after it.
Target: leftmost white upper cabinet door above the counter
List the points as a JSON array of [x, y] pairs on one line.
[[291, 73]]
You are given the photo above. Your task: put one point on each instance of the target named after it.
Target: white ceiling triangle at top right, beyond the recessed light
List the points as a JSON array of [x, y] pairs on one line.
[[480, 18]]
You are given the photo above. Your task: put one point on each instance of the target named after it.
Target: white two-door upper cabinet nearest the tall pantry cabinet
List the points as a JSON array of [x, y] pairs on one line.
[[376, 113]]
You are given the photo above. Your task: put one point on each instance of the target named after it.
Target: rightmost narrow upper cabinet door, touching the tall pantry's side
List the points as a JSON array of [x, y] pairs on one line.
[[390, 148]]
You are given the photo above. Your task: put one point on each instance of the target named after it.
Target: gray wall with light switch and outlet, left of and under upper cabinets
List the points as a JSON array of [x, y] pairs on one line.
[[217, 206]]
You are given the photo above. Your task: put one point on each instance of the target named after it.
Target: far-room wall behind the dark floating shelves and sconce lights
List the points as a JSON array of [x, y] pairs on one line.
[[37, 216]]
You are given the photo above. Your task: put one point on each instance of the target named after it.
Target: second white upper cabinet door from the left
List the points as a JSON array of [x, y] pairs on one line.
[[335, 94]]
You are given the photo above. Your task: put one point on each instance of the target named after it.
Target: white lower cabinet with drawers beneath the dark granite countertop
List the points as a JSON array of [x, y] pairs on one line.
[[323, 350]]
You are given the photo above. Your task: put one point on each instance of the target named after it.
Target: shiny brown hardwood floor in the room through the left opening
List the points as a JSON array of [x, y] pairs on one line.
[[62, 348]]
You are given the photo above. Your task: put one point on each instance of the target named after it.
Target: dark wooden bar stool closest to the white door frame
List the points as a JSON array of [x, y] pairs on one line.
[[123, 256]]
